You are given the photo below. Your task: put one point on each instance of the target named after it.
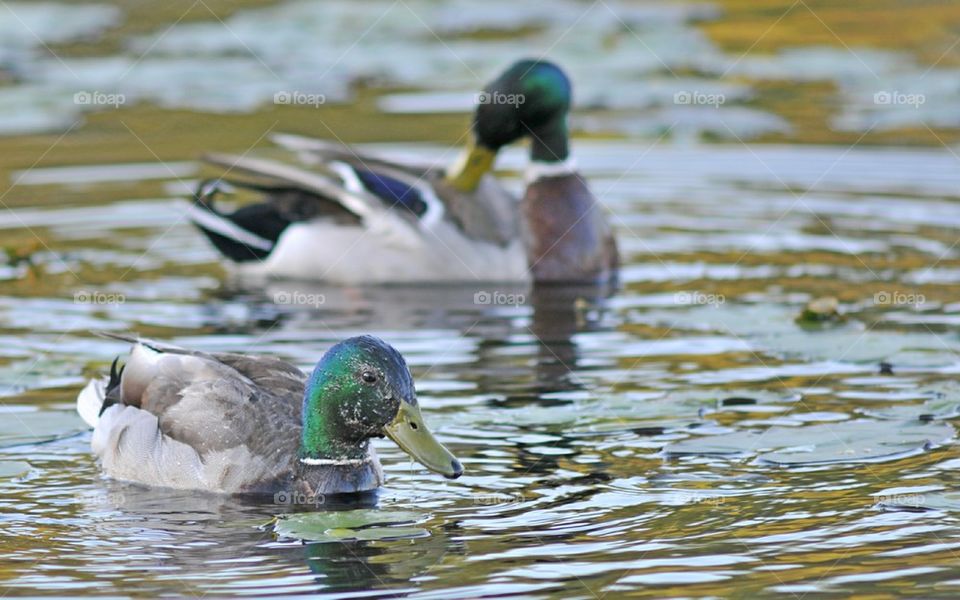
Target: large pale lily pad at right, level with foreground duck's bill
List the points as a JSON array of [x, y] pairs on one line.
[[845, 442]]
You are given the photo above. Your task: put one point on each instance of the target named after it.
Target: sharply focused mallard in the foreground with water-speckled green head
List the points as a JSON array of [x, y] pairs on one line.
[[241, 424]]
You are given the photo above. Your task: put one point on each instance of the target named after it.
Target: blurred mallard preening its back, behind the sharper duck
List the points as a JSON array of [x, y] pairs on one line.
[[345, 216]]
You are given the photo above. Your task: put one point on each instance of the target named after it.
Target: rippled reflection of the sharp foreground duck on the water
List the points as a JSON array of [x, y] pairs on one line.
[[239, 541]]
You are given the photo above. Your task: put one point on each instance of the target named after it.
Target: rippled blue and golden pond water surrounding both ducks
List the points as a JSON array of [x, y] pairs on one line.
[[681, 434]]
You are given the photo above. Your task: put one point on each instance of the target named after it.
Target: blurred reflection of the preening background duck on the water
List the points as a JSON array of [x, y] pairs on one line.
[[500, 319]]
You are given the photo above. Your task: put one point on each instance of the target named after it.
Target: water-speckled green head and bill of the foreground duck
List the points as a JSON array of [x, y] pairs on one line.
[[361, 389]]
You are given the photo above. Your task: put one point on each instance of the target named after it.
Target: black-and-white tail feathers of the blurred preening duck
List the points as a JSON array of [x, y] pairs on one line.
[[247, 234]]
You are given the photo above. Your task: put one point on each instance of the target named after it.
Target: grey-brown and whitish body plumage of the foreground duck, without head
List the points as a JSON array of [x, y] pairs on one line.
[[219, 422]]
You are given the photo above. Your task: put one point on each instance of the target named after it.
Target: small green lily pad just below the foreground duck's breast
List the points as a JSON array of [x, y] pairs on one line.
[[350, 525]]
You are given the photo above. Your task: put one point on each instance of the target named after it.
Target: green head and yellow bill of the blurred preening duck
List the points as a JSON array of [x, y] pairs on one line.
[[530, 99]]
